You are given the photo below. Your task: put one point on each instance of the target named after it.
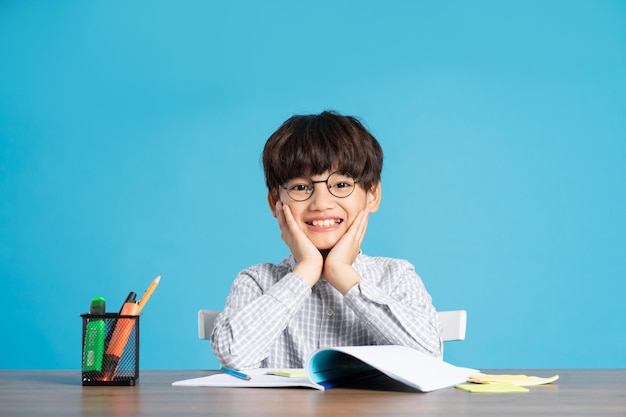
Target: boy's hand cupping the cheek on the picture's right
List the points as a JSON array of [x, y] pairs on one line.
[[338, 269]]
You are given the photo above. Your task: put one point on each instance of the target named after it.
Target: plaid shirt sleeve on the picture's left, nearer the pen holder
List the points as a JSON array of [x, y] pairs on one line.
[[258, 309]]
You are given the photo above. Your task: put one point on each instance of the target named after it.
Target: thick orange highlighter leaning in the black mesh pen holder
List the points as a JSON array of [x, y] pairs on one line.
[[121, 333]]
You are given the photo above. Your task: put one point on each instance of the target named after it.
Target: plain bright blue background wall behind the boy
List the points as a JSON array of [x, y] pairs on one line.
[[130, 140]]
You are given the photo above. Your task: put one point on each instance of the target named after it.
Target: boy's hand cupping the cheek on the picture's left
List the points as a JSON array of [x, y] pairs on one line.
[[309, 260]]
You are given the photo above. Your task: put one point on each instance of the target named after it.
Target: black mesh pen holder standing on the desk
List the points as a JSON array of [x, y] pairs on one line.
[[110, 353]]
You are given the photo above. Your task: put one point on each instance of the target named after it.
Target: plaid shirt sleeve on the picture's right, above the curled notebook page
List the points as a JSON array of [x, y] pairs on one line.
[[398, 309]]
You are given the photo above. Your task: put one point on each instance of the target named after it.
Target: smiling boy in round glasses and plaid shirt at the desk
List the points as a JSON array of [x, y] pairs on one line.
[[323, 178]]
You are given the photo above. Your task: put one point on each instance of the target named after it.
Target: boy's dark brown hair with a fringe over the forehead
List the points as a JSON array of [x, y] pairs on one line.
[[307, 145]]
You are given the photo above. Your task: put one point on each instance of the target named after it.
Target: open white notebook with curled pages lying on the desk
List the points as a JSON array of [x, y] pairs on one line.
[[360, 366]]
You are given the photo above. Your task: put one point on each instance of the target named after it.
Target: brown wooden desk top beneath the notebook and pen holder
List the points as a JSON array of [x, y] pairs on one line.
[[590, 392]]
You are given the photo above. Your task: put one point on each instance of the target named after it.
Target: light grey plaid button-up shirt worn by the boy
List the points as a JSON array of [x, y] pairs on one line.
[[272, 319]]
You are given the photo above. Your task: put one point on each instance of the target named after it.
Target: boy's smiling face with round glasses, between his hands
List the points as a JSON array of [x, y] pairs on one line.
[[323, 217]]
